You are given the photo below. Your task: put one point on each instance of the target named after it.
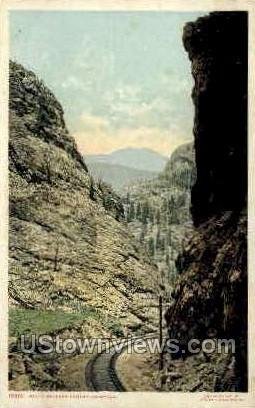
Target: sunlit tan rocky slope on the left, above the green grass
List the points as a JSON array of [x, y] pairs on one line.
[[69, 248]]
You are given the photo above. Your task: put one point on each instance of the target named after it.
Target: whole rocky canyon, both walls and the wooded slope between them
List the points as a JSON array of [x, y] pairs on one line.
[[84, 261]]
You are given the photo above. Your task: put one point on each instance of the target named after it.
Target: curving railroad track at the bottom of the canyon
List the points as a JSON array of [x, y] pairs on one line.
[[100, 371]]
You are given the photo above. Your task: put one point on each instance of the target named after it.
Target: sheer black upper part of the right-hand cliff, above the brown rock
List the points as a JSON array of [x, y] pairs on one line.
[[217, 47]]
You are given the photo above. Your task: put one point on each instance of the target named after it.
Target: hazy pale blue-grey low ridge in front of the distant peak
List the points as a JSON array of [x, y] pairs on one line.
[[116, 175]]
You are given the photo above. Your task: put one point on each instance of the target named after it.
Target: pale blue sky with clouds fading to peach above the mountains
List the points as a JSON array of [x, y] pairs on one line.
[[123, 78]]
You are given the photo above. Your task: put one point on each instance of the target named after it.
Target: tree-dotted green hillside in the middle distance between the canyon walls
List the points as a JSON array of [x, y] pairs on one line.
[[158, 211]]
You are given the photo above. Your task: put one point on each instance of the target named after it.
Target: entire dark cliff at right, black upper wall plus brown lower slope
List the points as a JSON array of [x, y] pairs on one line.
[[211, 294]]
